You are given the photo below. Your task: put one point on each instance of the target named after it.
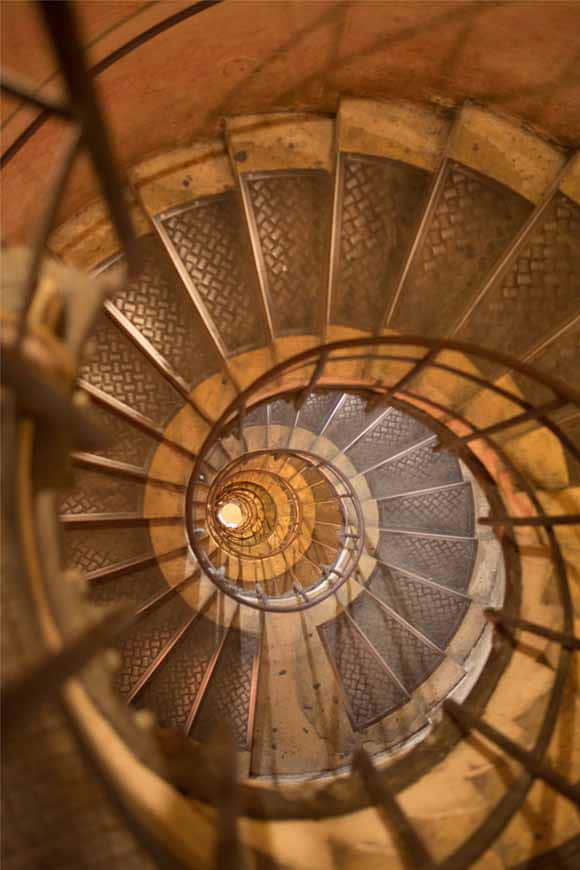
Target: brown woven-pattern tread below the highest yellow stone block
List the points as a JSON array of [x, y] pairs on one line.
[[380, 207]]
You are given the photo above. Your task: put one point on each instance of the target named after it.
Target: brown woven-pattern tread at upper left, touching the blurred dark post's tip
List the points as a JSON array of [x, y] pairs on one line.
[[157, 303]]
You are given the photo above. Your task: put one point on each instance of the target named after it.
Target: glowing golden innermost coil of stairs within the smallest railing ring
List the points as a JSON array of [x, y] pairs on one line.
[[276, 529]]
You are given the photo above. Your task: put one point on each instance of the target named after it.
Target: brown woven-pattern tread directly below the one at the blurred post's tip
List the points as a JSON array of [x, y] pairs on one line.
[[116, 367]]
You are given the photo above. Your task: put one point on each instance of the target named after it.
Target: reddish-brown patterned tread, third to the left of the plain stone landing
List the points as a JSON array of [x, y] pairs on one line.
[[144, 641]]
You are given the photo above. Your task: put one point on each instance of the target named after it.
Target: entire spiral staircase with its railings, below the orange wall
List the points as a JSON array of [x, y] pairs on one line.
[[316, 491]]
